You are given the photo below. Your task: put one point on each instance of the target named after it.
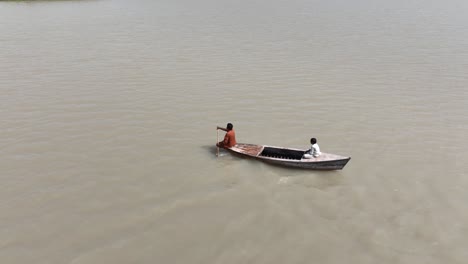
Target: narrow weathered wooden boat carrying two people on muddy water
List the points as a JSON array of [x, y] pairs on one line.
[[290, 157]]
